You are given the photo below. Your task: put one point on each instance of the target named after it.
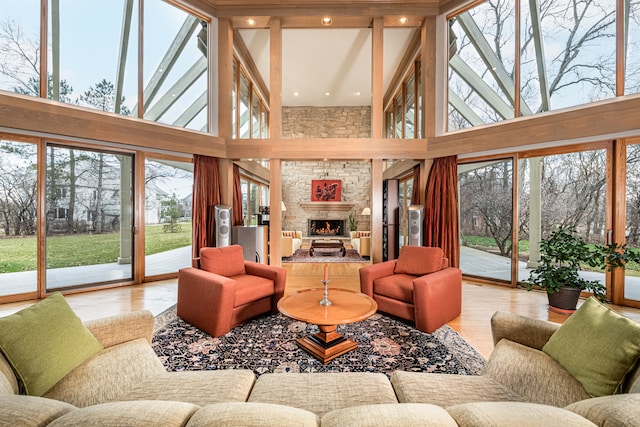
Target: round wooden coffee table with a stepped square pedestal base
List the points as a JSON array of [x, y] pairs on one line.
[[346, 307]]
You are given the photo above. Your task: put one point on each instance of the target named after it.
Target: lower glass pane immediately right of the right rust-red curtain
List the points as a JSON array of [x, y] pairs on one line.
[[486, 224]]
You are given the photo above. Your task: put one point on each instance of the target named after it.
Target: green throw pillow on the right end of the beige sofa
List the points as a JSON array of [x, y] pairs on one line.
[[597, 346]]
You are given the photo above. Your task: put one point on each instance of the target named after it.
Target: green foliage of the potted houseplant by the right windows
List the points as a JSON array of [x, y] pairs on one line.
[[561, 257]]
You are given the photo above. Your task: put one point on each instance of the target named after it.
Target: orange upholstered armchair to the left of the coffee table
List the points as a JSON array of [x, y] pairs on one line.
[[223, 290]]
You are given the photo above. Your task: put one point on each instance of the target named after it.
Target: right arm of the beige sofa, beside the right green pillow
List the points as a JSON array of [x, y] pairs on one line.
[[533, 333]]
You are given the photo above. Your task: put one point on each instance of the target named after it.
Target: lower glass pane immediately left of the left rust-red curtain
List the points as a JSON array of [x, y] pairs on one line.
[[167, 230]]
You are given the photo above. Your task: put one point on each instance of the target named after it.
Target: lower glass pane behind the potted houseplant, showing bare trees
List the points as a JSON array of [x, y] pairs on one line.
[[561, 190]]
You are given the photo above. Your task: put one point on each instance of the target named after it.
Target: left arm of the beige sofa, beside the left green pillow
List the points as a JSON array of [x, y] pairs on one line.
[[121, 328]]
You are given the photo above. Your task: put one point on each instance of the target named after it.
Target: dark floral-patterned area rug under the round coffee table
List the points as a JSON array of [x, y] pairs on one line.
[[268, 344]]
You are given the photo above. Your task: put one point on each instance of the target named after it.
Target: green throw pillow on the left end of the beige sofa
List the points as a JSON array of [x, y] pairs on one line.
[[44, 342]]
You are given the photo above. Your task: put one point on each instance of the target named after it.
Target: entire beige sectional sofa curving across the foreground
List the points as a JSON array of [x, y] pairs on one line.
[[125, 384]]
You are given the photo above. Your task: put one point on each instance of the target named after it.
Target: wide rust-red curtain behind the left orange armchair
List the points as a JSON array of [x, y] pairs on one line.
[[206, 194]]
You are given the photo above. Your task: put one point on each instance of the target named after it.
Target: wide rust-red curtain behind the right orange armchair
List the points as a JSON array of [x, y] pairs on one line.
[[441, 210]]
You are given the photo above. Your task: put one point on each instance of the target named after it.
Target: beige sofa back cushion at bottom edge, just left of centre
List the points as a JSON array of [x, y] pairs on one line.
[[249, 414]]
